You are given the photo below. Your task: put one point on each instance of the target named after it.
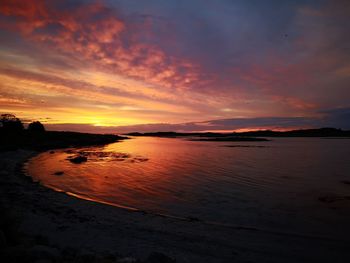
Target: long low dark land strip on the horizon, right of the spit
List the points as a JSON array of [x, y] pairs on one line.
[[322, 132]]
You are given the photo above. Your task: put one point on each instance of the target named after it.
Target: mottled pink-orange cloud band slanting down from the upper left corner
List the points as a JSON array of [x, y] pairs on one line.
[[92, 33]]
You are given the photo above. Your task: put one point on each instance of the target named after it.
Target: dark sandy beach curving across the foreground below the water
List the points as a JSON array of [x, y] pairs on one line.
[[75, 230]]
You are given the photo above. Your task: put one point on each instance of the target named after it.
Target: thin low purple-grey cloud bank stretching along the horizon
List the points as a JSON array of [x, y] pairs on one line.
[[331, 118]]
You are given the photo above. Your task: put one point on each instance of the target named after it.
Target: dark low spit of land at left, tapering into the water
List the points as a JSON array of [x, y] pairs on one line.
[[41, 141]]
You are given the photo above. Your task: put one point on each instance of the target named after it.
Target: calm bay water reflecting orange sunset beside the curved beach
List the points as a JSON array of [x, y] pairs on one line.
[[275, 187]]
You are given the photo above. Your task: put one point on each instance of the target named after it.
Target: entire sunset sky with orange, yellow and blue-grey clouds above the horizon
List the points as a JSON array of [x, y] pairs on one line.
[[186, 65]]
